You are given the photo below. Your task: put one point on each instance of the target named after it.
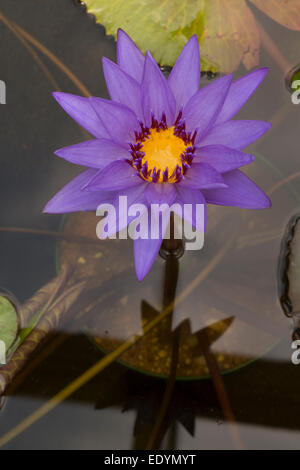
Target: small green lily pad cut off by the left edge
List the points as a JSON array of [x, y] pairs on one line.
[[8, 322]]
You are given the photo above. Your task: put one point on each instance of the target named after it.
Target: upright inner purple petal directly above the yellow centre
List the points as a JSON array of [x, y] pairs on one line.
[[157, 97]]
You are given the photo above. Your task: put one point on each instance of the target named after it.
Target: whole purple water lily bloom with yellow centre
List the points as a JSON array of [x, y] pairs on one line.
[[161, 140]]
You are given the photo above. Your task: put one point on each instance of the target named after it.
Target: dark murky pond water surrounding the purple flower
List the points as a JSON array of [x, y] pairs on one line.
[[230, 290]]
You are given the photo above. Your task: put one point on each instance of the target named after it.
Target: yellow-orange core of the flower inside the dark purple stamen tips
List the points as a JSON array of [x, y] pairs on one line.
[[163, 150]]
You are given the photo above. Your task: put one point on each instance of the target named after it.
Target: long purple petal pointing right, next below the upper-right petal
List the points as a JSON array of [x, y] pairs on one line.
[[236, 134]]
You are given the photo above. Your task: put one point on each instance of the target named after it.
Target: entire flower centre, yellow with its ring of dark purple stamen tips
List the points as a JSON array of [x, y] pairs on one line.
[[162, 154]]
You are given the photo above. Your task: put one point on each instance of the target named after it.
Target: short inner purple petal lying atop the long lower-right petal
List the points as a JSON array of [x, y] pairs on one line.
[[202, 175]]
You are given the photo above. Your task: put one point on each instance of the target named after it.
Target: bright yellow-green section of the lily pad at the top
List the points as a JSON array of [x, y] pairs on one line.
[[161, 26]]
